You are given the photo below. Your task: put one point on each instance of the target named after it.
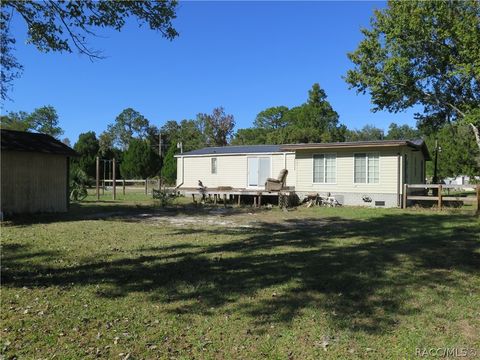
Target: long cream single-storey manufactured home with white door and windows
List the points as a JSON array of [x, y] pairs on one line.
[[370, 173]]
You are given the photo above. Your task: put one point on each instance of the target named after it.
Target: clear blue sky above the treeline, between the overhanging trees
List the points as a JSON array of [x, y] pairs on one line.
[[245, 56]]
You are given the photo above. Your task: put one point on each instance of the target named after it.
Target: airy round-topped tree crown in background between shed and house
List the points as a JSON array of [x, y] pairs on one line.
[[128, 124]]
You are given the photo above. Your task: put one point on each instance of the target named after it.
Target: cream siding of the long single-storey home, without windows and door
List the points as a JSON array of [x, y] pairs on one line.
[[232, 171]]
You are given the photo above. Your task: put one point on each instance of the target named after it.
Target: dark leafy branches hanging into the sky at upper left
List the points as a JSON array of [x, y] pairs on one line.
[[62, 26]]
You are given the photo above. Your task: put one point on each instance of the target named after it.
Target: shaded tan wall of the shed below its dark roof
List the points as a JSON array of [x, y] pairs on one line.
[[33, 182]]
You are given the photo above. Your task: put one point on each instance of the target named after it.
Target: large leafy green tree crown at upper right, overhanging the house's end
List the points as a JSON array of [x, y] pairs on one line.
[[421, 53]]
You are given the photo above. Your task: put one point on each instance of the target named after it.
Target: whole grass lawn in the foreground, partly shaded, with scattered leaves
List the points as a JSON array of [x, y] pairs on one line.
[[122, 280]]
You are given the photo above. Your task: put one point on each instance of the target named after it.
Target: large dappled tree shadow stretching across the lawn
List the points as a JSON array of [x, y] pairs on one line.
[[360, 273]]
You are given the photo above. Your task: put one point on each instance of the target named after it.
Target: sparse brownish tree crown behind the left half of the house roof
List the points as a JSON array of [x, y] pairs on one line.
[[218, 126]]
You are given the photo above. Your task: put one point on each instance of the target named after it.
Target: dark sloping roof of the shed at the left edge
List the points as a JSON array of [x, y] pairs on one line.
[[33, 142]]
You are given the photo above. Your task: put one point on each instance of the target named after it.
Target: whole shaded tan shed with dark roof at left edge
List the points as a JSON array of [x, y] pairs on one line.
[[34, 174]]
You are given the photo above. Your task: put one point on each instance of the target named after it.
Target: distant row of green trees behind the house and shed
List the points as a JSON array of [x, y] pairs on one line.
[[144, 150]]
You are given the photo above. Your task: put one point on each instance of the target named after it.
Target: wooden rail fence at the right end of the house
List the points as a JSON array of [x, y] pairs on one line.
[[438, 196]]
